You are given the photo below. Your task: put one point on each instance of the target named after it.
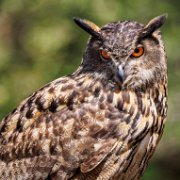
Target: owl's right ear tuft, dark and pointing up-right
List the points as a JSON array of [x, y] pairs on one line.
[[153, 25]]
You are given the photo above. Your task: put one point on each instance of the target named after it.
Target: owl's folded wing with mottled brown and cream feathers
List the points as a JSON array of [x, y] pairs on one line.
[[61, 130]]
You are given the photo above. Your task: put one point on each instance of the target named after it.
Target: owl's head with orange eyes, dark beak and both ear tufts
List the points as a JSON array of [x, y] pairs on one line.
[[126, 52]]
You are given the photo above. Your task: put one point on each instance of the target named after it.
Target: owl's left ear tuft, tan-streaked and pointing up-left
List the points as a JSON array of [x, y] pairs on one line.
[[89, 27]]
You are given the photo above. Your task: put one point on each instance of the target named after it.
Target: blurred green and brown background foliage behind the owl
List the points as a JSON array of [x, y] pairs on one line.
[[39, 42]]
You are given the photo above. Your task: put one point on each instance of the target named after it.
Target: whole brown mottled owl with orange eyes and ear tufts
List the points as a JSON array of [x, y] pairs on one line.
[[102, 122]]
